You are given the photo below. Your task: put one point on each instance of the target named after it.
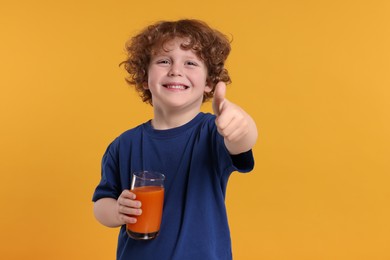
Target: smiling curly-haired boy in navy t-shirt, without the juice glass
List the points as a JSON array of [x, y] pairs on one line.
[[176, 66]]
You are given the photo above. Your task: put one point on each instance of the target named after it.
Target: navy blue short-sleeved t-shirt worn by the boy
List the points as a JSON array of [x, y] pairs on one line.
[[197, 166]]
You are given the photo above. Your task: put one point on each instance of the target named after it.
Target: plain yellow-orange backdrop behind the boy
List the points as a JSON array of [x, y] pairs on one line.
[[315, 75]]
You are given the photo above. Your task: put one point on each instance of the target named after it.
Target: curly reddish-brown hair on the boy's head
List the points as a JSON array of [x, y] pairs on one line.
[[210, 45]]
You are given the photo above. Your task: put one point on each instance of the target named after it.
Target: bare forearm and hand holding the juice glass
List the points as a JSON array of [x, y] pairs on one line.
[[114, 213]]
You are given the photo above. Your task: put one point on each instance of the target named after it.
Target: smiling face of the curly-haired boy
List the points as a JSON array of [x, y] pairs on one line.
[[177, 78]]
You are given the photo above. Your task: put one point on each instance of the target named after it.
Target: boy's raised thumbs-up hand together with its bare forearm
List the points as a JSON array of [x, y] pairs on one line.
[[233, 123]]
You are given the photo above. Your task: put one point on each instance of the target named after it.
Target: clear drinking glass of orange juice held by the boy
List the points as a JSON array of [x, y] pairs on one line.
[[148, 186]]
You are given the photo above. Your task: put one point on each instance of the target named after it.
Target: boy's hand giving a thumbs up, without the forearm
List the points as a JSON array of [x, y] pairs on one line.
[[232, 121]]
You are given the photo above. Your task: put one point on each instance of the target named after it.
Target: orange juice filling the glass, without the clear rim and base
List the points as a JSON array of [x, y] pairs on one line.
[[152, 198]]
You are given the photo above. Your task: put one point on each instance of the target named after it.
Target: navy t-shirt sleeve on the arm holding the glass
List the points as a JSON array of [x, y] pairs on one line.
[[109, 186]]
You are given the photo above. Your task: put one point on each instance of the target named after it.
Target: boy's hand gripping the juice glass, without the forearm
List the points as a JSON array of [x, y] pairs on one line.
[[128, 207]]
